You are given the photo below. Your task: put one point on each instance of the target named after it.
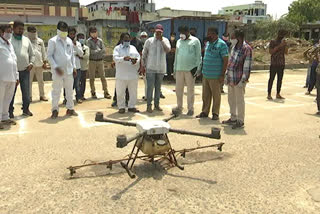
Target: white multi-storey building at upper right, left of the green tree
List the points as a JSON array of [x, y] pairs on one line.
[[246, 14]]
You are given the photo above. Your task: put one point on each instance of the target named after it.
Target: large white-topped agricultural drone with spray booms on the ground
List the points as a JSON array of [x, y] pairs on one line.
[[153, 141]]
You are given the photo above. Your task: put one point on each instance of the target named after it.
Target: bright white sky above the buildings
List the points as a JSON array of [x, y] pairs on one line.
[[276, 8]]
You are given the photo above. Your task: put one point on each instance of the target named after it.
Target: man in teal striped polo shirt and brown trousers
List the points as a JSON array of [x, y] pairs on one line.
[[215, 63]]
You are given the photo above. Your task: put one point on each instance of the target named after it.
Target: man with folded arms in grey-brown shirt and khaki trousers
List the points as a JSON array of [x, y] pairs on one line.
[[96, 63]]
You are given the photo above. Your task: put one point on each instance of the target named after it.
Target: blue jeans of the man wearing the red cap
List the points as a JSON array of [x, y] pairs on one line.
[[154, 81]]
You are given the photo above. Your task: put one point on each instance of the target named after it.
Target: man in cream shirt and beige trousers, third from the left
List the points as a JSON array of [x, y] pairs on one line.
[[40, 61]]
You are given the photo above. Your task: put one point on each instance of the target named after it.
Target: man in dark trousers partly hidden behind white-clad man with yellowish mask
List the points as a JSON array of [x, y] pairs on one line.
[[77, 51]]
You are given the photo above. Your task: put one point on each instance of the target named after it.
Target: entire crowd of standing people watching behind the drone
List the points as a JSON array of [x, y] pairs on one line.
[[72, 58]]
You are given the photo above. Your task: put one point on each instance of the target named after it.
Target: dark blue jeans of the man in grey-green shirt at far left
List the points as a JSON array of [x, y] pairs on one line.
[[24, 78]]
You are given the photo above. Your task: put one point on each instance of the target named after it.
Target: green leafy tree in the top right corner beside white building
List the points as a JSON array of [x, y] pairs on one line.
[[303, 11]]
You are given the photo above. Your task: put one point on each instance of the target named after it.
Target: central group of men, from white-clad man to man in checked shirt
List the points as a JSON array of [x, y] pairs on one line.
[[216, 67]]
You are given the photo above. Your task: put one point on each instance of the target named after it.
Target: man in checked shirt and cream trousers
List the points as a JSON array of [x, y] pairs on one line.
[[238, 73]]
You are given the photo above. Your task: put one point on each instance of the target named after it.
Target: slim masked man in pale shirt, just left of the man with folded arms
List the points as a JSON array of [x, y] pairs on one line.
[[84, 62]]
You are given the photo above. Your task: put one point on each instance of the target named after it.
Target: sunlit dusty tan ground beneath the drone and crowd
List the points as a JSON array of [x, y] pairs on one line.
[[271, 166]]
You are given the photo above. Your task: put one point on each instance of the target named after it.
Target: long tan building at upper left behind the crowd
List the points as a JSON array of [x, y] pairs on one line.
[[44, 14]]
